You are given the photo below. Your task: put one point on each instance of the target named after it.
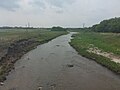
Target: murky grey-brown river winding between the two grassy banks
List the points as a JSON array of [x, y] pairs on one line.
[[47, 67]]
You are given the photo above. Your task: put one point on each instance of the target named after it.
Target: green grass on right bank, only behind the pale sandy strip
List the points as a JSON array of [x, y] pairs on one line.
[[108, 42]]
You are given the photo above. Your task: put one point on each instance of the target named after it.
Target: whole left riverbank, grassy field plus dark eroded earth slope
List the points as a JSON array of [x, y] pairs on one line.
[[14, 37]]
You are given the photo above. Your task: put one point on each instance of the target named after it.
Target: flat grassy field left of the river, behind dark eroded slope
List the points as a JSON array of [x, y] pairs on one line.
[[9, 36]]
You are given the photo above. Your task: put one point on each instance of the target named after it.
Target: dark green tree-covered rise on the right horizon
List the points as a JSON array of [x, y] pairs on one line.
[[111, 25]]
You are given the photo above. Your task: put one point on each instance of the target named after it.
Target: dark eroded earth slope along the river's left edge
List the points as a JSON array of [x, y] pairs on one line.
[[13, 53]]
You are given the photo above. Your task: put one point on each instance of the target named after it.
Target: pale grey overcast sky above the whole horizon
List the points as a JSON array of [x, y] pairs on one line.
[[48, 13]]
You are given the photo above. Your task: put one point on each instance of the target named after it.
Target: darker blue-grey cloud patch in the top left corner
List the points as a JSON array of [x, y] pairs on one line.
[[9, 5]]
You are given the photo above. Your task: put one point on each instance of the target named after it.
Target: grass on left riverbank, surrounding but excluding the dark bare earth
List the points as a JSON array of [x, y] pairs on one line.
[[11, 36]]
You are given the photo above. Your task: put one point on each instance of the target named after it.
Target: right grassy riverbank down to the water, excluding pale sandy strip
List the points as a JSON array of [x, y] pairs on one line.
[[107, 42]]
